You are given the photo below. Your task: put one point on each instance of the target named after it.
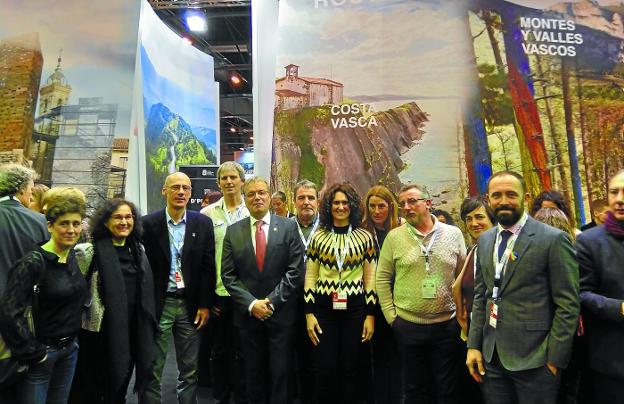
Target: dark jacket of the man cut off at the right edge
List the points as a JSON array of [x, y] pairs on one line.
[[601, 262]]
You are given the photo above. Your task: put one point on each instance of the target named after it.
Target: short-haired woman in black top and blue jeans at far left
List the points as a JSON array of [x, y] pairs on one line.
[[47, 279]]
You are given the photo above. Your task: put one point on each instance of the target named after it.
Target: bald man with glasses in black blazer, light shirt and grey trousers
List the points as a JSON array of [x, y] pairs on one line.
[[180, 247]]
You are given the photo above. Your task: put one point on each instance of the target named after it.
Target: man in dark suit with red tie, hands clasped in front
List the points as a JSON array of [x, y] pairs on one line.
[[262, 269]]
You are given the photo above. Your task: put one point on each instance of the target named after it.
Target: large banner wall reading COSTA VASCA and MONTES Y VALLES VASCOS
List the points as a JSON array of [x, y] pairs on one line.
[[443, 93]]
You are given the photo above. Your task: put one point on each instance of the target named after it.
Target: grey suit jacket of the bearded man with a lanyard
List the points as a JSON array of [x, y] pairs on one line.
[[539, 300]]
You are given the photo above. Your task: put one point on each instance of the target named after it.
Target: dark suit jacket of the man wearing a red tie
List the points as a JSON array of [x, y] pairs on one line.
[[280, 280]]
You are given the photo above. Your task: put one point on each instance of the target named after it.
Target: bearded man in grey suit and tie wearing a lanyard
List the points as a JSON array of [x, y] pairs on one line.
[[526, 302]]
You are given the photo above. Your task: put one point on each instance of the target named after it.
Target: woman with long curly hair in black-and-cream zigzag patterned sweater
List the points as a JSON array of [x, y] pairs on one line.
[[339, 293]]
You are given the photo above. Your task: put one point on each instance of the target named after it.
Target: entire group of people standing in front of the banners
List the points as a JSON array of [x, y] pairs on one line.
[[353, 299]]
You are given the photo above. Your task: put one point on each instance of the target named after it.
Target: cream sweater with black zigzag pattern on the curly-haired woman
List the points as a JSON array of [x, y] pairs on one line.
[[357, 275]]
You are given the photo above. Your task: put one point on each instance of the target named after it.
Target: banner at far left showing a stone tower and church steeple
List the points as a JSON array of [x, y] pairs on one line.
[[66, 74]]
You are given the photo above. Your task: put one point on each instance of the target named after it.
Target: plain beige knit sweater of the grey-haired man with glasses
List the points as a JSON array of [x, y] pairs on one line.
[[401, 271]]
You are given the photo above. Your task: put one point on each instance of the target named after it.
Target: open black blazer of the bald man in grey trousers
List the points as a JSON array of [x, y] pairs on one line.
[[198, 264]]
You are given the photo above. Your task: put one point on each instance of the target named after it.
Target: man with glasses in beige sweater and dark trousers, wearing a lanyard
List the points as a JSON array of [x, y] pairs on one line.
[[417, 266]]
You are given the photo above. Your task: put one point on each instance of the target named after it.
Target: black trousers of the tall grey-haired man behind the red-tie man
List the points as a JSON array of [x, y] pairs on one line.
[[226, 358]]
